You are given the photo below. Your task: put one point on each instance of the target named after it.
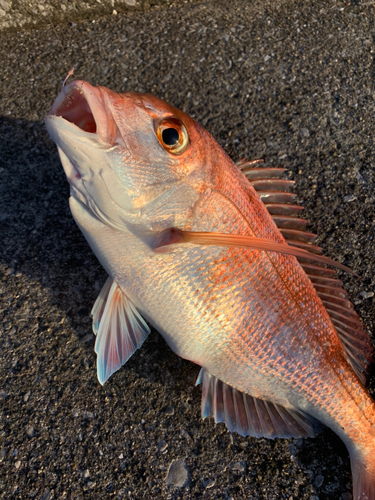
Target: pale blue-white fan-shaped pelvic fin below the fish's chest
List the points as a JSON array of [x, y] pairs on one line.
[[119, 328]]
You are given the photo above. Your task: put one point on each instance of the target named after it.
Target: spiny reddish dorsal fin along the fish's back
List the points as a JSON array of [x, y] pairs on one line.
[[280, 203]]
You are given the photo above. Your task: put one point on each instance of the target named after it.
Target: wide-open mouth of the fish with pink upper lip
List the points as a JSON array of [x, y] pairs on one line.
[[84, 106]]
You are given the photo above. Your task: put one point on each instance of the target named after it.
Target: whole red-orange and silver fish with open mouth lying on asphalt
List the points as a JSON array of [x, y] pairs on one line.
[[213, 255]]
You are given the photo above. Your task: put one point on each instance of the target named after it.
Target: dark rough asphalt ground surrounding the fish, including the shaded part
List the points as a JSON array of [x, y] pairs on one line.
[[291, 82]]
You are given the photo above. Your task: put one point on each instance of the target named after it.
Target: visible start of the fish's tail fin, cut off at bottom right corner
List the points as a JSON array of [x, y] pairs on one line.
[[363, 472]]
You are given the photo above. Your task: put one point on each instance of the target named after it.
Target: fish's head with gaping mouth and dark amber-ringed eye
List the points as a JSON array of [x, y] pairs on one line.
[[131, 159]]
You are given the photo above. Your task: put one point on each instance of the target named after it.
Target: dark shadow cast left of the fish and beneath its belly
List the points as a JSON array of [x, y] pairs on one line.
[[41, 242]]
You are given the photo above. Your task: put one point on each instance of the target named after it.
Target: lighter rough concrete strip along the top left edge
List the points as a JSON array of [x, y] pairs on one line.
[[16, 14]]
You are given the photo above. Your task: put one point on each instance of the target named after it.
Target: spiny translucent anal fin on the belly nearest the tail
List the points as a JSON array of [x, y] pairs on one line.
[[249, 416]]
